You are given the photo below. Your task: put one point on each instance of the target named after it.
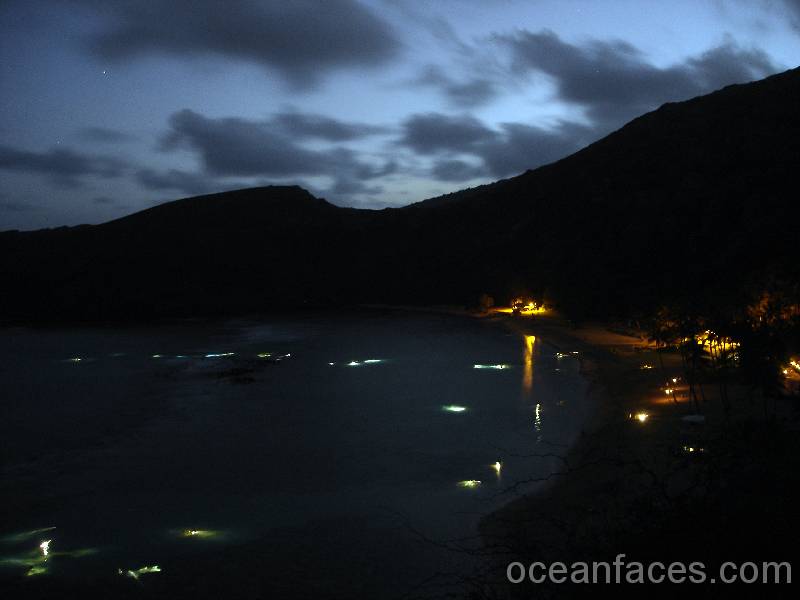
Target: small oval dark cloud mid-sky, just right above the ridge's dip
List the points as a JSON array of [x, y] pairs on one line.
[[434, 132]]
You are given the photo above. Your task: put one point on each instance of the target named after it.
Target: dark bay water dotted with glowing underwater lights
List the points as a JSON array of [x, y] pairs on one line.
[[327, 467]]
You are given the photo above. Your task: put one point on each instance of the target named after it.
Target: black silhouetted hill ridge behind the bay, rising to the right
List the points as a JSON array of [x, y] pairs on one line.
[[695, 200]]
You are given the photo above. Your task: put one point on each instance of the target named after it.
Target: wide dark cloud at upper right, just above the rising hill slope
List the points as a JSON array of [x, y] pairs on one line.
[[614, 82]]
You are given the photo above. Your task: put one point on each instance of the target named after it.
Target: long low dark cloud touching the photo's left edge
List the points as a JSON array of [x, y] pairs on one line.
[[64, 167]]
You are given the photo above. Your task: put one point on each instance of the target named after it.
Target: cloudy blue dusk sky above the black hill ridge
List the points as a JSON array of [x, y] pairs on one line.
[[110, 107]]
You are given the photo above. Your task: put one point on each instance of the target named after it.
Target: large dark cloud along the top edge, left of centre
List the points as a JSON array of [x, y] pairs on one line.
[[301, 39]]
